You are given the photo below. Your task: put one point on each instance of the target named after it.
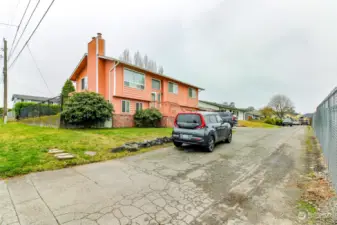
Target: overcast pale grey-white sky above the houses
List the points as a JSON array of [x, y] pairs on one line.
[[243, 51]]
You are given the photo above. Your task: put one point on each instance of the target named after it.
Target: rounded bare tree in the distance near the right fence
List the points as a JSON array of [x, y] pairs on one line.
[[281, 105]]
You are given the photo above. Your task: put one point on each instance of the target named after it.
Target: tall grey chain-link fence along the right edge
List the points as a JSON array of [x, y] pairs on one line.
[[325, 127]]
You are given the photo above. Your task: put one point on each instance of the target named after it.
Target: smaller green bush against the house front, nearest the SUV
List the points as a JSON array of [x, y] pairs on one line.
[[147, 118]]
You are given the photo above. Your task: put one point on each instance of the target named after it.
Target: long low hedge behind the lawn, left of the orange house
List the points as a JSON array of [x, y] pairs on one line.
[[32, 109]]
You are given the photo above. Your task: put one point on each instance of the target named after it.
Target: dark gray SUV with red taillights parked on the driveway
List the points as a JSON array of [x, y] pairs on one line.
[[202, 128]]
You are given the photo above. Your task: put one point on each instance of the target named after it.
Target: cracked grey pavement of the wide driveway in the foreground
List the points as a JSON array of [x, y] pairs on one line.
[[244, 182]]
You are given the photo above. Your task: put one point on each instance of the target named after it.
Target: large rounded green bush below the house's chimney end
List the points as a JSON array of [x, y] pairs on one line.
[[87, 109]]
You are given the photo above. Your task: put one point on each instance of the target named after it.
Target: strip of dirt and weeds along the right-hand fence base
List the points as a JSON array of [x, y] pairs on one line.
[[317, 191]]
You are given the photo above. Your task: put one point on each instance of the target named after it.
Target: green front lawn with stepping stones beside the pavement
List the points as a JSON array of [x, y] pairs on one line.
[[23, 148]]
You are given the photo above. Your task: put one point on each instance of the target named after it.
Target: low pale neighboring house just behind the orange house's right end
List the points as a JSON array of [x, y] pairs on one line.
[[213, 106]]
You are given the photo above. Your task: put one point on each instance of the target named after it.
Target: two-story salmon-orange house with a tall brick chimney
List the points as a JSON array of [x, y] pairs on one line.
[[130, 88]]
